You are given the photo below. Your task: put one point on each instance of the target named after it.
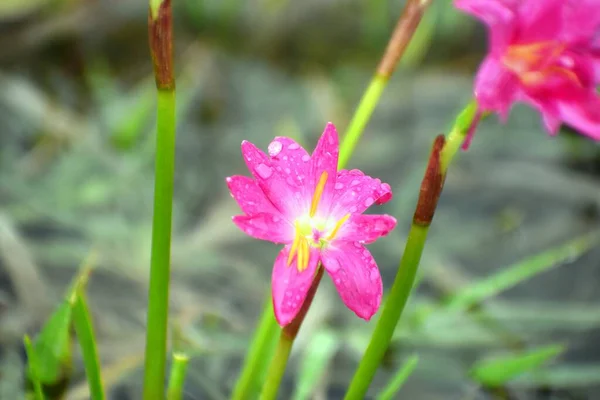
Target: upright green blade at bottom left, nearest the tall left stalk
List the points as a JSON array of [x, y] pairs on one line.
[[87, 342]]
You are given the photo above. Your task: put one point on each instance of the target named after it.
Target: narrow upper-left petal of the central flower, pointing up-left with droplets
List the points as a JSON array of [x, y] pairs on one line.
[[283, 193]]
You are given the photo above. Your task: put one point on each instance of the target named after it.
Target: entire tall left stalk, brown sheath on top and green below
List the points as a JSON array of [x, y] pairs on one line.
[[160, 30]]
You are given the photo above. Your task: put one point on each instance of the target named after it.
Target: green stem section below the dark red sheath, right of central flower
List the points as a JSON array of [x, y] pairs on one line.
[[392, 310]]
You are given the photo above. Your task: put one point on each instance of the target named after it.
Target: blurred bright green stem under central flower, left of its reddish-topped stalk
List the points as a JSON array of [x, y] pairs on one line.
[[260, 351]]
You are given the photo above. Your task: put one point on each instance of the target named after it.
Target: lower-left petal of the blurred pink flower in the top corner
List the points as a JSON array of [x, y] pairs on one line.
[[496, 88]]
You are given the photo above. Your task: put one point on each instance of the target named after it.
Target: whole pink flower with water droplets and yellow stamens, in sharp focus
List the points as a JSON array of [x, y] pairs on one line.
[[304, 202]]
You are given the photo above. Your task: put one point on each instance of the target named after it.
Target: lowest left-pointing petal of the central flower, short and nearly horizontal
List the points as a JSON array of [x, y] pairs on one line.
[[265, 226]]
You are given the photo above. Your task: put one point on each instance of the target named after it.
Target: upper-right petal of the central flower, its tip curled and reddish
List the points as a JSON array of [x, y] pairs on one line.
[[355, 192]]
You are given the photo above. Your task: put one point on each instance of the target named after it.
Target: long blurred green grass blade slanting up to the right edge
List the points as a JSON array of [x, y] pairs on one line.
[[519, 272]]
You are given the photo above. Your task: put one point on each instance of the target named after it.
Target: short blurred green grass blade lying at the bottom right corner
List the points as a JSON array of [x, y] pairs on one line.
[[497, 371]]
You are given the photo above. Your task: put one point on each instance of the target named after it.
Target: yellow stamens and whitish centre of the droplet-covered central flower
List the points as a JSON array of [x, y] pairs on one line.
[[313, 231]]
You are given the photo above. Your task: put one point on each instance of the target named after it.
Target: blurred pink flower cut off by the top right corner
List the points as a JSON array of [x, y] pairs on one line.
[[545, 53]]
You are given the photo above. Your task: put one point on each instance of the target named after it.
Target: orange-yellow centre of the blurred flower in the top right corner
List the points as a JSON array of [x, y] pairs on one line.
[[535, 62]]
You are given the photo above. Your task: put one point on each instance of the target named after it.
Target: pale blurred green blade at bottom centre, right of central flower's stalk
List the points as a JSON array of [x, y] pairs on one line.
[[318, 354]]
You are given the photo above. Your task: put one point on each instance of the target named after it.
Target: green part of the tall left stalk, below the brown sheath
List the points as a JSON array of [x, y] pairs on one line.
[[158, 301]]
